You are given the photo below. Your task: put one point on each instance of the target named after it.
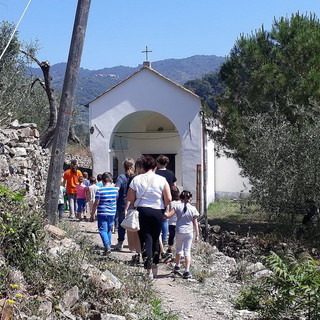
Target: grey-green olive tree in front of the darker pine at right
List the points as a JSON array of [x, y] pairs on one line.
[[282, 164]]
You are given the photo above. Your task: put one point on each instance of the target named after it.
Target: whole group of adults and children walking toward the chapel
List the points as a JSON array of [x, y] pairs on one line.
[[148, 186]]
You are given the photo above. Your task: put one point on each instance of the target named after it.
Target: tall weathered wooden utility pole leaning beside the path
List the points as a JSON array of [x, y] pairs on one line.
[[66, 110]]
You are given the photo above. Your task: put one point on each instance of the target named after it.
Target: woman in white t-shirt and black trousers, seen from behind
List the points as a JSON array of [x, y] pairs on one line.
[[150, 193]]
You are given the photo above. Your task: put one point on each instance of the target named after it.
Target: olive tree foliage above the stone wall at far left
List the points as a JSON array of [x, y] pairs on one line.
[[19, 96]]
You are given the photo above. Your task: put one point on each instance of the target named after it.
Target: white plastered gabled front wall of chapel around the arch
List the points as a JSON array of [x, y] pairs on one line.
[[147, 91]]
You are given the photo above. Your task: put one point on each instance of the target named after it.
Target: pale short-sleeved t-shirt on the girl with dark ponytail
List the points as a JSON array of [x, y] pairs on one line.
[[184, 219]]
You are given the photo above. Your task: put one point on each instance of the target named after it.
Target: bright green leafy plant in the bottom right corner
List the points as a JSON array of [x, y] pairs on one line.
[[291, 292]]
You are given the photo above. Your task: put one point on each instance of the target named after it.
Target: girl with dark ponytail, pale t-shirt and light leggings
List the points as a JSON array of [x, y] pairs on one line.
[[187, 222]]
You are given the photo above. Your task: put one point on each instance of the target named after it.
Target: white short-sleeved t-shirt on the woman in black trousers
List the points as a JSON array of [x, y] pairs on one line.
[[152, 197]]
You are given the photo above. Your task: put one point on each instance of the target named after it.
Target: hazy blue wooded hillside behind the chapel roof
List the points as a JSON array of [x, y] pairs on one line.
[[92, 83]]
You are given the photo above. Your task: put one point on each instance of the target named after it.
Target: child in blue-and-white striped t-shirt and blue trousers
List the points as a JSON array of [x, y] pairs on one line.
[[106, 205]]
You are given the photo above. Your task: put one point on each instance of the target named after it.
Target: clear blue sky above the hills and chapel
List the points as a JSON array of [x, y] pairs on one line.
[[119, 30]]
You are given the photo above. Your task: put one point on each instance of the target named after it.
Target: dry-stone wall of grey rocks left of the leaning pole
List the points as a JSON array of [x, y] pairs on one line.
[[23, 163]]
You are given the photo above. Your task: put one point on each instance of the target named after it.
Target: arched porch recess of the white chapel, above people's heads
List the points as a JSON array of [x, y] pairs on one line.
[[145, 132]]
